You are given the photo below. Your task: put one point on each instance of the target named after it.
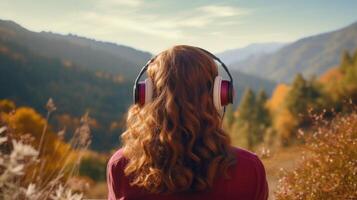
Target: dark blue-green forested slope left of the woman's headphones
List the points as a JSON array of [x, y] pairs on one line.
[[30, 80]]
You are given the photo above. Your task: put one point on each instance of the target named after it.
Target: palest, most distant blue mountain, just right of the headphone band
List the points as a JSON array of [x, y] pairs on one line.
[[235, 55]]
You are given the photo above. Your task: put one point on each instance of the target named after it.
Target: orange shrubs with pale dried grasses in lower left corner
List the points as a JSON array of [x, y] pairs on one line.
[[35, 163]]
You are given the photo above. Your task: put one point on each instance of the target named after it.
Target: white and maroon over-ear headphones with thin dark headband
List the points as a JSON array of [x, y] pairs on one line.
[[223, 91]]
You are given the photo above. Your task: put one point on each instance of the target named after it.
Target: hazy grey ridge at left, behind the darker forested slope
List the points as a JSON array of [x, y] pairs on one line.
[[88, 53]]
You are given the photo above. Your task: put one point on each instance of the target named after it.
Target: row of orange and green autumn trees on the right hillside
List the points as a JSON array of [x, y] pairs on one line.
[[276, 121]]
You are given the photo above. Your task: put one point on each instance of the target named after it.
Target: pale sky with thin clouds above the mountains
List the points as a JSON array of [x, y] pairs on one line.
[[155, 25]]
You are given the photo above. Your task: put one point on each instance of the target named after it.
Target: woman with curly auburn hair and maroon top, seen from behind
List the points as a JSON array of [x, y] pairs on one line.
[[174, 146]]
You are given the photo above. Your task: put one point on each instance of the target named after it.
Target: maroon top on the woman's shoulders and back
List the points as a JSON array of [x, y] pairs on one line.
[[248, 181]]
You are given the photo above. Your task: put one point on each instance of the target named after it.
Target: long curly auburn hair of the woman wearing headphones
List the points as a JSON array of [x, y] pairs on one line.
[[176, 142]]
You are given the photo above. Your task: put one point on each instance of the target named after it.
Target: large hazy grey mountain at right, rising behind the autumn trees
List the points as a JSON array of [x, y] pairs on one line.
[[310, 56]]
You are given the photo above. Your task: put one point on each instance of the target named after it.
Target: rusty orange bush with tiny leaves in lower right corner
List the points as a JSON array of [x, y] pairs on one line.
[[329, 166]]
